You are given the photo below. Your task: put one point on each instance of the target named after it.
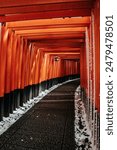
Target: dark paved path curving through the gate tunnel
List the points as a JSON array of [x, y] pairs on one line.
[[49, 125]]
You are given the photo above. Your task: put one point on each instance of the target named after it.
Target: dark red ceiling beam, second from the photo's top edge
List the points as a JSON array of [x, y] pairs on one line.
[[45, 7]]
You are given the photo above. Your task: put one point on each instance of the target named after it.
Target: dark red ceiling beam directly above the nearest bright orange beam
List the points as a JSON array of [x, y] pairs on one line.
[[46, 15]]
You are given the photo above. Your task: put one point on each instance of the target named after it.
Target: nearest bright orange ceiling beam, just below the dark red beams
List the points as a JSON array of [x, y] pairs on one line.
[[49, 23]]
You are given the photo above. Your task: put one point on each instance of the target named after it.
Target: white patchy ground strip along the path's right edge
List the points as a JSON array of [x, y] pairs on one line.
[[82, 133]]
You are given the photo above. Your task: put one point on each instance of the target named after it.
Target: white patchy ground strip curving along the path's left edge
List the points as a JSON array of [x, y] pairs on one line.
[[8, 121]]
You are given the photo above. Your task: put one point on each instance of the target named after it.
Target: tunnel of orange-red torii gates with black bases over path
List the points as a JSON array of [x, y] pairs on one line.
[[43, 43]]
